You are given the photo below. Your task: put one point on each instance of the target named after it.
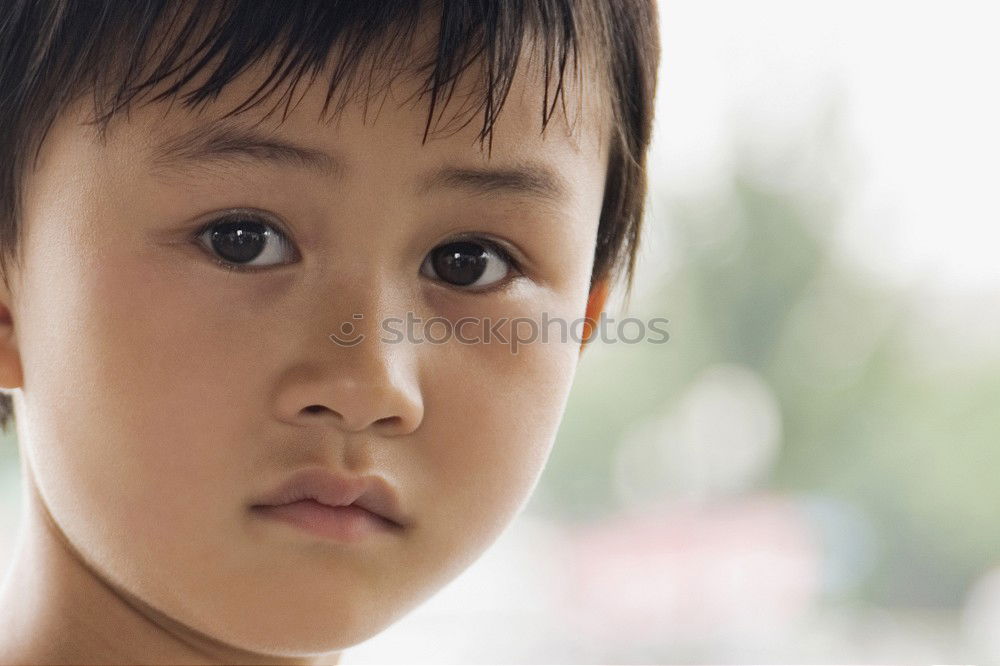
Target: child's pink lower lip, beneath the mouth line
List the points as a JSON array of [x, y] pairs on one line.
[[341, 523]]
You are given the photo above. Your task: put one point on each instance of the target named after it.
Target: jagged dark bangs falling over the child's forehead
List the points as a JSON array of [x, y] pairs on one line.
[[128, 49]]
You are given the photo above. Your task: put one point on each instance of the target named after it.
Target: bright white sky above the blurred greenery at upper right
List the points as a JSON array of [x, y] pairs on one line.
[[922, 109]]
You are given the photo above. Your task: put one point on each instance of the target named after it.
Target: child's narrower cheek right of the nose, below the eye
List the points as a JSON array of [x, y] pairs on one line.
[[496, 414]]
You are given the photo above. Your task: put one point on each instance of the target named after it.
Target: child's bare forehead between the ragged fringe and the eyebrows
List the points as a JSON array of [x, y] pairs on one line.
[[388, 111]]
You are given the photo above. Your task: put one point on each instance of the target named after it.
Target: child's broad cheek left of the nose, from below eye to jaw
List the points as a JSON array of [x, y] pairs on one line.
[[138, 397]]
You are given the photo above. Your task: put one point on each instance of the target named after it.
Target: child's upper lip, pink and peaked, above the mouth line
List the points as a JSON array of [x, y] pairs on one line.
[[371, 493]]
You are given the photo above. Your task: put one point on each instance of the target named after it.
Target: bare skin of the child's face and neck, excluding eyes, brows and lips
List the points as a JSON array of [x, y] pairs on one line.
[[158, 394]]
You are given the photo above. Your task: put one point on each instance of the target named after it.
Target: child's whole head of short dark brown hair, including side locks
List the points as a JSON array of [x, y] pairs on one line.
[[54, 51]]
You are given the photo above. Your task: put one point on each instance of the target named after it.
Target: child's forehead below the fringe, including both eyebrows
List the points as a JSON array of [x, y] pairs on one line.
[[385, 134]]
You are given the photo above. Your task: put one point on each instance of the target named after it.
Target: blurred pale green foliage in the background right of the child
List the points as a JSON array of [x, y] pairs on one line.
[[866, 418]]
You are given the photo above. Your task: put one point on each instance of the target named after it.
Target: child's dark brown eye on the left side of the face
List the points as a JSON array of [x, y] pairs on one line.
[[246, 241]]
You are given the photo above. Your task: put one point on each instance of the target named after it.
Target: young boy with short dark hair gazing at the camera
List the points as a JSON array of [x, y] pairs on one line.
[[213, 214]]
